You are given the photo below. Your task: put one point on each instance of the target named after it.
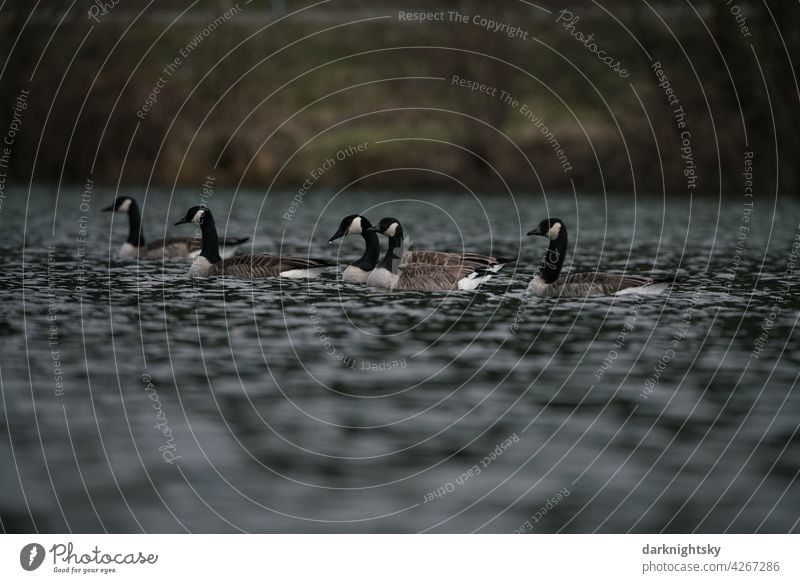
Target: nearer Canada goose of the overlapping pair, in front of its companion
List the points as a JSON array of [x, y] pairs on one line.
[[427, 270]]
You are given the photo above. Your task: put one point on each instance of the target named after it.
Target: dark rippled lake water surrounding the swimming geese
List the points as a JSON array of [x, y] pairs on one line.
[[144, 402]]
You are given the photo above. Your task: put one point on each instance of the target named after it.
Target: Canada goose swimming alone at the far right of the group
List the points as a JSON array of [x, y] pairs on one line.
[[547, 282]]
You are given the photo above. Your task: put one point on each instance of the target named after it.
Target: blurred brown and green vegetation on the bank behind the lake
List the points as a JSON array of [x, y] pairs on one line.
[[262, 101]]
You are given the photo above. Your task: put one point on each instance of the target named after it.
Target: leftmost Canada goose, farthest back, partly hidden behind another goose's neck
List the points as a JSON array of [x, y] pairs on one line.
[[135, 245]]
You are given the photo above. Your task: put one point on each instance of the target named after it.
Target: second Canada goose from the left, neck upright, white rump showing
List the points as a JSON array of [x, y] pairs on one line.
[[209, 263]]
